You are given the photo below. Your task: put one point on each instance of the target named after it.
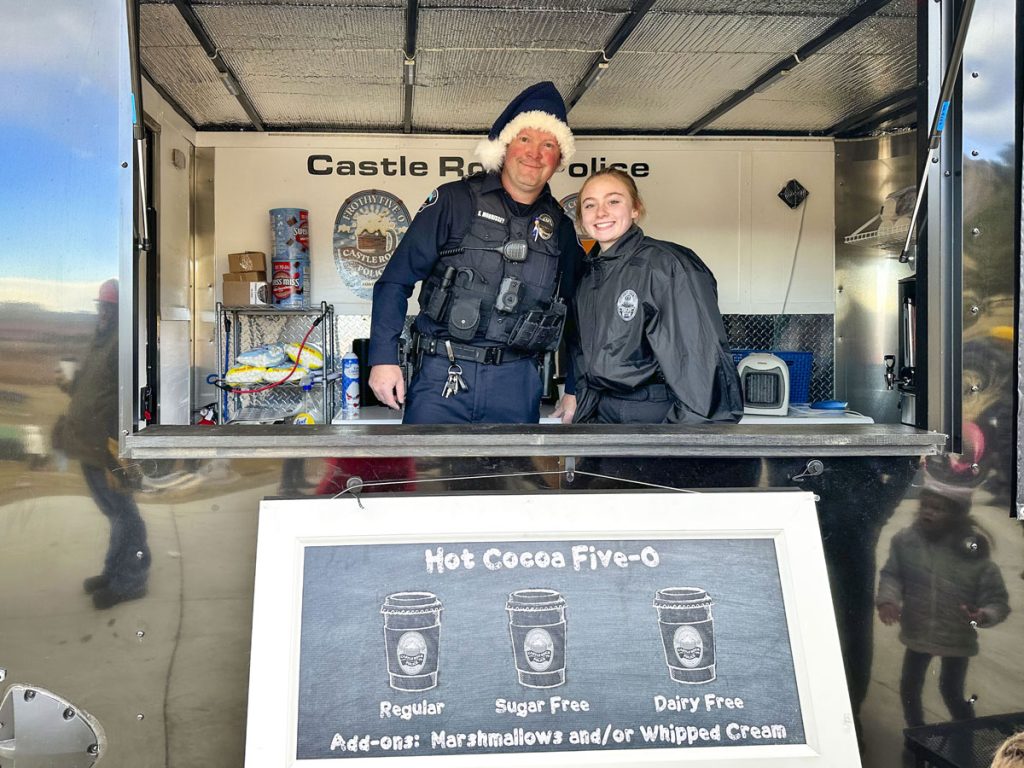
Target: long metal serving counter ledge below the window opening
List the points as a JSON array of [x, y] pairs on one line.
[[356, 440]]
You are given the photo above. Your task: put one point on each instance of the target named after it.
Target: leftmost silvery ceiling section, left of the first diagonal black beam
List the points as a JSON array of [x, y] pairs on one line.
[[178, 64]]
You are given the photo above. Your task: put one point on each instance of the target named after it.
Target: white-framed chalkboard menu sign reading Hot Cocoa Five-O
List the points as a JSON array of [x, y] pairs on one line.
[[641, 627]]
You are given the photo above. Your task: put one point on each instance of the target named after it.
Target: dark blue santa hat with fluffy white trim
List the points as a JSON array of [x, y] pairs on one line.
[[540, 107]]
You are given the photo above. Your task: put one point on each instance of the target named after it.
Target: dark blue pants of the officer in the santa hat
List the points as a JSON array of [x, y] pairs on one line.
[[509, 394]]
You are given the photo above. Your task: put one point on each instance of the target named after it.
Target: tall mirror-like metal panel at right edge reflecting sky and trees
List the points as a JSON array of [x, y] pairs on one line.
[[991, 161]]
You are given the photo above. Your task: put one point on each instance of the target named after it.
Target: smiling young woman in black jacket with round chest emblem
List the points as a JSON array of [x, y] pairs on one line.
[[652, 347]]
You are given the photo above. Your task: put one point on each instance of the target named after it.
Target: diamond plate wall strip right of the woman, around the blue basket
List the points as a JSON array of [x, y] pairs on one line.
[[792, 333]]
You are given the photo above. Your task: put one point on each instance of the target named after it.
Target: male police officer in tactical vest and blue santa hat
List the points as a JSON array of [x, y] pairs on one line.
[[496, 257]]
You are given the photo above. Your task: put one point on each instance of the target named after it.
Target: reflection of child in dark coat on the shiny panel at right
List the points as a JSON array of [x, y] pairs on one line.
[[941, 585]]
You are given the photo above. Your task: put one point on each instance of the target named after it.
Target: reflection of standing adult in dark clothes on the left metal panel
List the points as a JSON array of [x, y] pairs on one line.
[[89, 434]]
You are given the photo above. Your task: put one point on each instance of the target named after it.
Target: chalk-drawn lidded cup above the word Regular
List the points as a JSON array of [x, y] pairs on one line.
[[412, 639]]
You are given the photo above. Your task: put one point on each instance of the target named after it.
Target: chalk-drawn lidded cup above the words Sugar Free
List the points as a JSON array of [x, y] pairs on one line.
[[537, 626]]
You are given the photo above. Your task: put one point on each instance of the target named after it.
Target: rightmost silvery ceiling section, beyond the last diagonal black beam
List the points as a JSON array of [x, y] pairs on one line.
[[875, 60]]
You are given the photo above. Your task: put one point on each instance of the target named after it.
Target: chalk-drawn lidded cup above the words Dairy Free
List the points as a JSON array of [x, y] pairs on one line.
[[688, 633]]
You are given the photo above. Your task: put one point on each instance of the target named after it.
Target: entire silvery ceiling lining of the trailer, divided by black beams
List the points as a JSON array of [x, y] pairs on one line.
[[338, 65]]
